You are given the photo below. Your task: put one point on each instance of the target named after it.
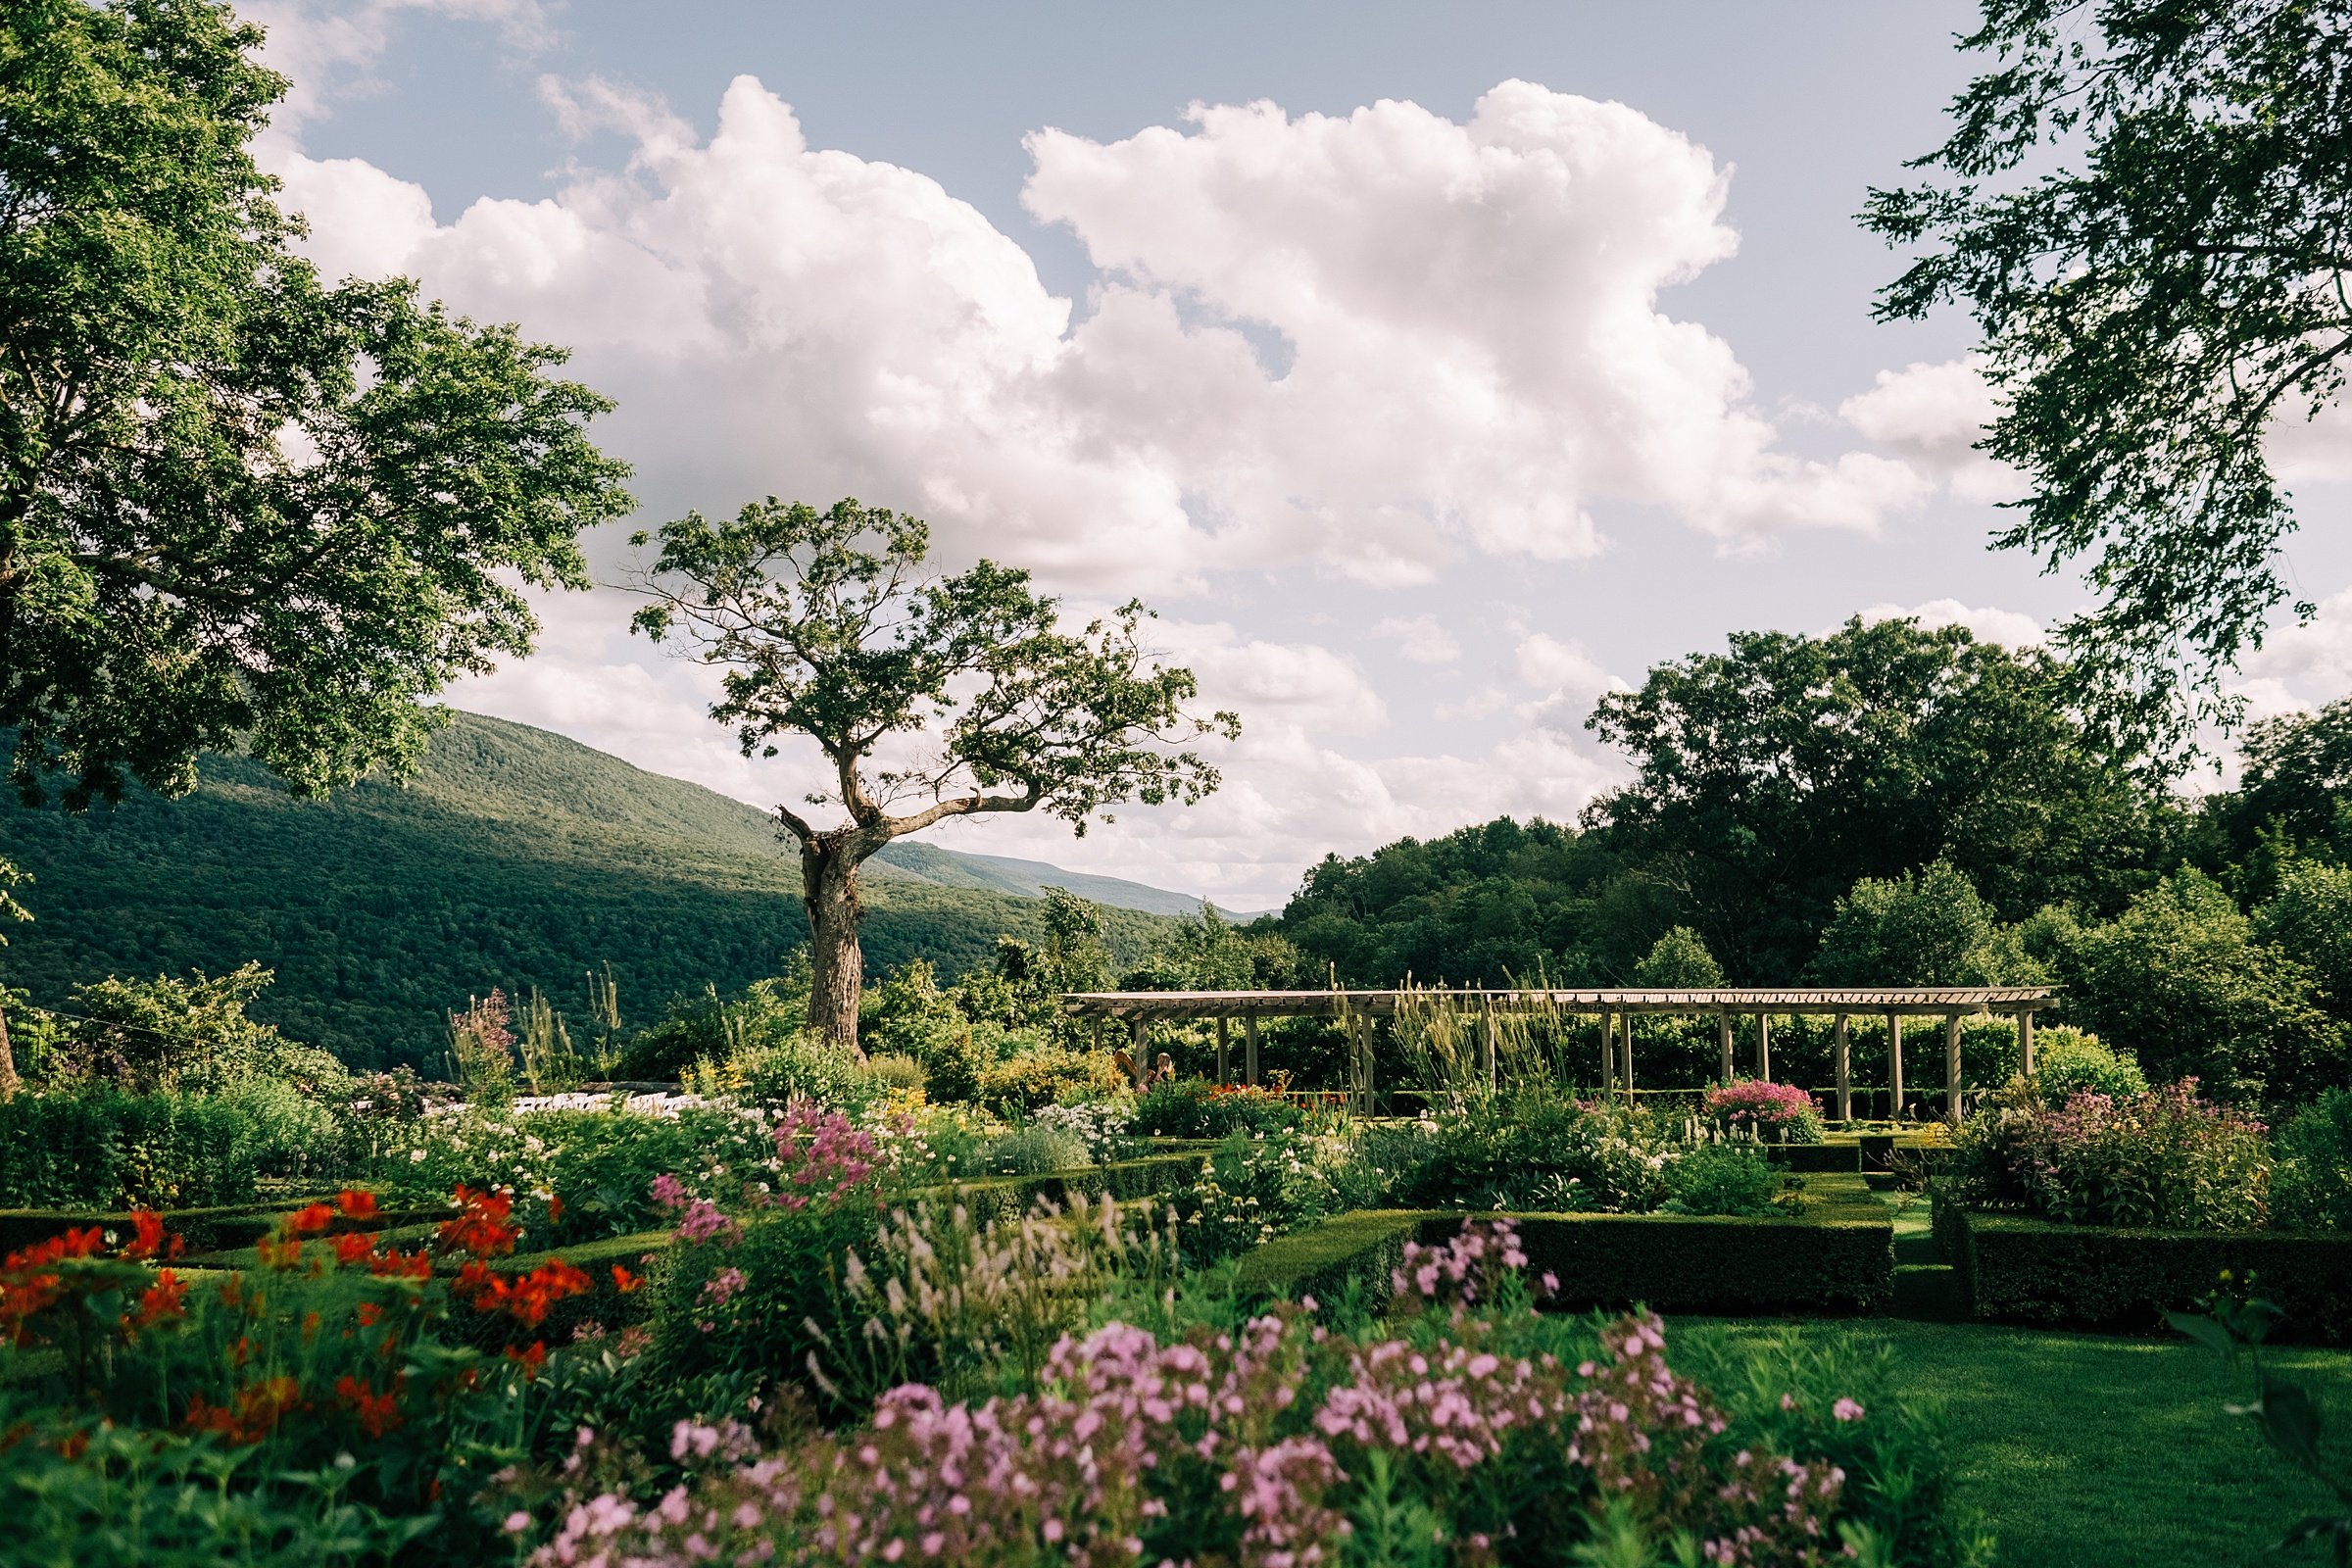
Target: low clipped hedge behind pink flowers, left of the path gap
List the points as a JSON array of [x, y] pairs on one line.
[[1838, 1257]]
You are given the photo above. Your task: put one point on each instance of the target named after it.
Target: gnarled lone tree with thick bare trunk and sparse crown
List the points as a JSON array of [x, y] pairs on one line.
[[829, 626]]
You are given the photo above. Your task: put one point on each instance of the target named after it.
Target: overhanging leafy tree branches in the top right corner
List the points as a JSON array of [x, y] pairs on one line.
[[2156, 307]]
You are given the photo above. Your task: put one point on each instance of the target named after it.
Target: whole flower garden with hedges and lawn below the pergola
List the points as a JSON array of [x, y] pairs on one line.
[[977, 1299]]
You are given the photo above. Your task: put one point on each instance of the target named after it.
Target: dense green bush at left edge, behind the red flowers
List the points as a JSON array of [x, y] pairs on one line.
[[114, 1151]]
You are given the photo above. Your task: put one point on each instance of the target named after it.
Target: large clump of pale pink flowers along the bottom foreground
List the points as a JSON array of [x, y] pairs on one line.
[[1248, 1447]]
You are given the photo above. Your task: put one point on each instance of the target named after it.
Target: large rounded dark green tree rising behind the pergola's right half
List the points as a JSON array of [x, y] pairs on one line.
[[1779, 775]]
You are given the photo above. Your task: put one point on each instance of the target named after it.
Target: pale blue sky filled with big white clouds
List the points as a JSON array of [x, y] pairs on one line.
[[1431, 370]]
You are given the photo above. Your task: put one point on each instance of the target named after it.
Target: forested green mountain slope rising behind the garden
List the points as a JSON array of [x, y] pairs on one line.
[[512, 859]]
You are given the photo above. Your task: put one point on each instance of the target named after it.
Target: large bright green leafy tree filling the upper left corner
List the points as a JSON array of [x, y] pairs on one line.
[[239, 507]]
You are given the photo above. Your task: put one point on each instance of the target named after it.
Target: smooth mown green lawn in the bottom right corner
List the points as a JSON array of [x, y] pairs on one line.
[[2109, 1452]]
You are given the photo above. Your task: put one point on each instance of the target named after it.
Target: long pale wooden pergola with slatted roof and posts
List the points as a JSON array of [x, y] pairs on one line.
[[1617, 1010]]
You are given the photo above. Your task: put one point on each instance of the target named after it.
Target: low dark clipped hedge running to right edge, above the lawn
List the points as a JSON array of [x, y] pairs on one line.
[[2116, 1278]]
